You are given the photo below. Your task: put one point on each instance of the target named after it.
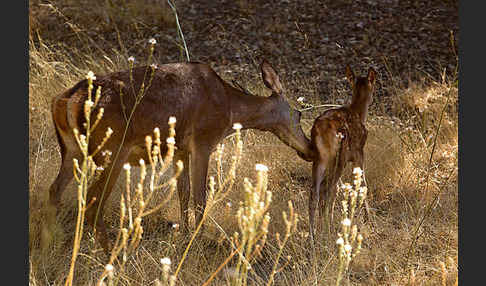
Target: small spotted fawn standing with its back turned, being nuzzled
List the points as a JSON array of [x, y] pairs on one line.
[[338, 136]]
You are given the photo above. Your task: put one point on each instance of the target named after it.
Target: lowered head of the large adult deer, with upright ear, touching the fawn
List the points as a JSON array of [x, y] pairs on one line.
[[284, 121]]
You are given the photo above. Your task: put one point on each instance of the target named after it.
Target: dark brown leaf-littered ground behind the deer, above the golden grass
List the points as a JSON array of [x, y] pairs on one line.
[[404, 40]]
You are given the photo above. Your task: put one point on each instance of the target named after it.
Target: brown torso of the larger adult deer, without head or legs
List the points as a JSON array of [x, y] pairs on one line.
[[191, 92]]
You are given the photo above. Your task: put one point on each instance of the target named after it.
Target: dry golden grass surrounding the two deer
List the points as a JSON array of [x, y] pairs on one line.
[[410, 168]]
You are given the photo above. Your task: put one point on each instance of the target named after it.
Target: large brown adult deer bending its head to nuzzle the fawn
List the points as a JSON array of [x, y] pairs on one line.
[[206, 108]]
